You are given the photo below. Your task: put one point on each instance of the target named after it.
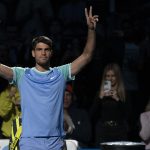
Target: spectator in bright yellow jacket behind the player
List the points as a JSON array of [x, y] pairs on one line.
[[9, 108]]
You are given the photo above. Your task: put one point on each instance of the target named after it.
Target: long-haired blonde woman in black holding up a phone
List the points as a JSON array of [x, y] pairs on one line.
[[108, 113]]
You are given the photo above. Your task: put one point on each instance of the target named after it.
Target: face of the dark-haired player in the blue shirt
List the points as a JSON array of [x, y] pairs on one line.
[[42, 54]]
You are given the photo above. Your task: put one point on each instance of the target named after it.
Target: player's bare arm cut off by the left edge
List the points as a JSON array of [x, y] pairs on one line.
[[6, 72]]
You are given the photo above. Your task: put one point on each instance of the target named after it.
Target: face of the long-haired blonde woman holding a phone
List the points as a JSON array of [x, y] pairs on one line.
[[110, 75]]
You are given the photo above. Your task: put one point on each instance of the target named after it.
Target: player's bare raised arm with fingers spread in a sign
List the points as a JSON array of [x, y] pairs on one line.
[[87, 53]]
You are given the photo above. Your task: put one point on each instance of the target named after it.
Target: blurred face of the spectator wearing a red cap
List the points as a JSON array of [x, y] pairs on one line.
[[67, 99]]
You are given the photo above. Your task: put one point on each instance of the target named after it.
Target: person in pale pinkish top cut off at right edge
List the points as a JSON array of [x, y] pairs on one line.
[[145, 126]]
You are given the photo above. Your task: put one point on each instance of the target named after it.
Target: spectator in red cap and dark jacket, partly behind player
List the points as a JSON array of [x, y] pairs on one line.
[[80, 127]]
